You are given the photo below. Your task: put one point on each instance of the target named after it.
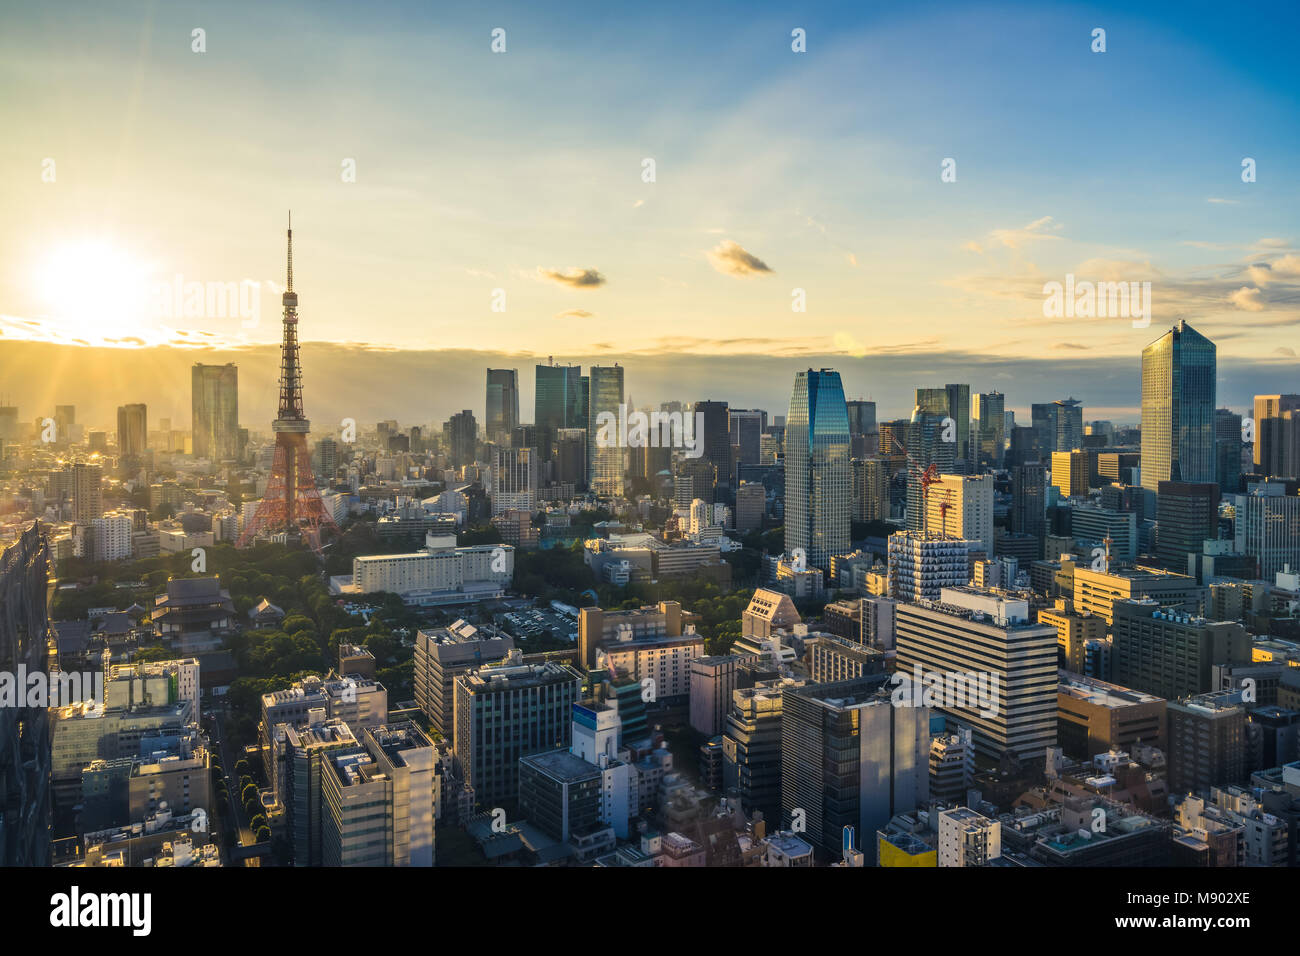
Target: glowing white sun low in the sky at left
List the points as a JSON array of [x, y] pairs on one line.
[[96, 289]]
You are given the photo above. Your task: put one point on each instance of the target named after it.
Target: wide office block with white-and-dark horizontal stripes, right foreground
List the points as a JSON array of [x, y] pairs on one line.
[[980, 637]]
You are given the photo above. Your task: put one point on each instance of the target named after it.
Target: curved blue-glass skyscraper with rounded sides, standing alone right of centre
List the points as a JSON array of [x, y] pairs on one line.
[[818, 482]]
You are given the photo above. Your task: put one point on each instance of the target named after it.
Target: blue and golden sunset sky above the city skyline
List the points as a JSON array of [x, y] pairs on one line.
[[501, 202]]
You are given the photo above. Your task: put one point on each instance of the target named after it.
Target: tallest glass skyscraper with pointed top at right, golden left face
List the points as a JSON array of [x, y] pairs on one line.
[[1178, 387]]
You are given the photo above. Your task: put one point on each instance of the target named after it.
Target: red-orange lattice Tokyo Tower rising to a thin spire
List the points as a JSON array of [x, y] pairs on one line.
[[292, 505]]
